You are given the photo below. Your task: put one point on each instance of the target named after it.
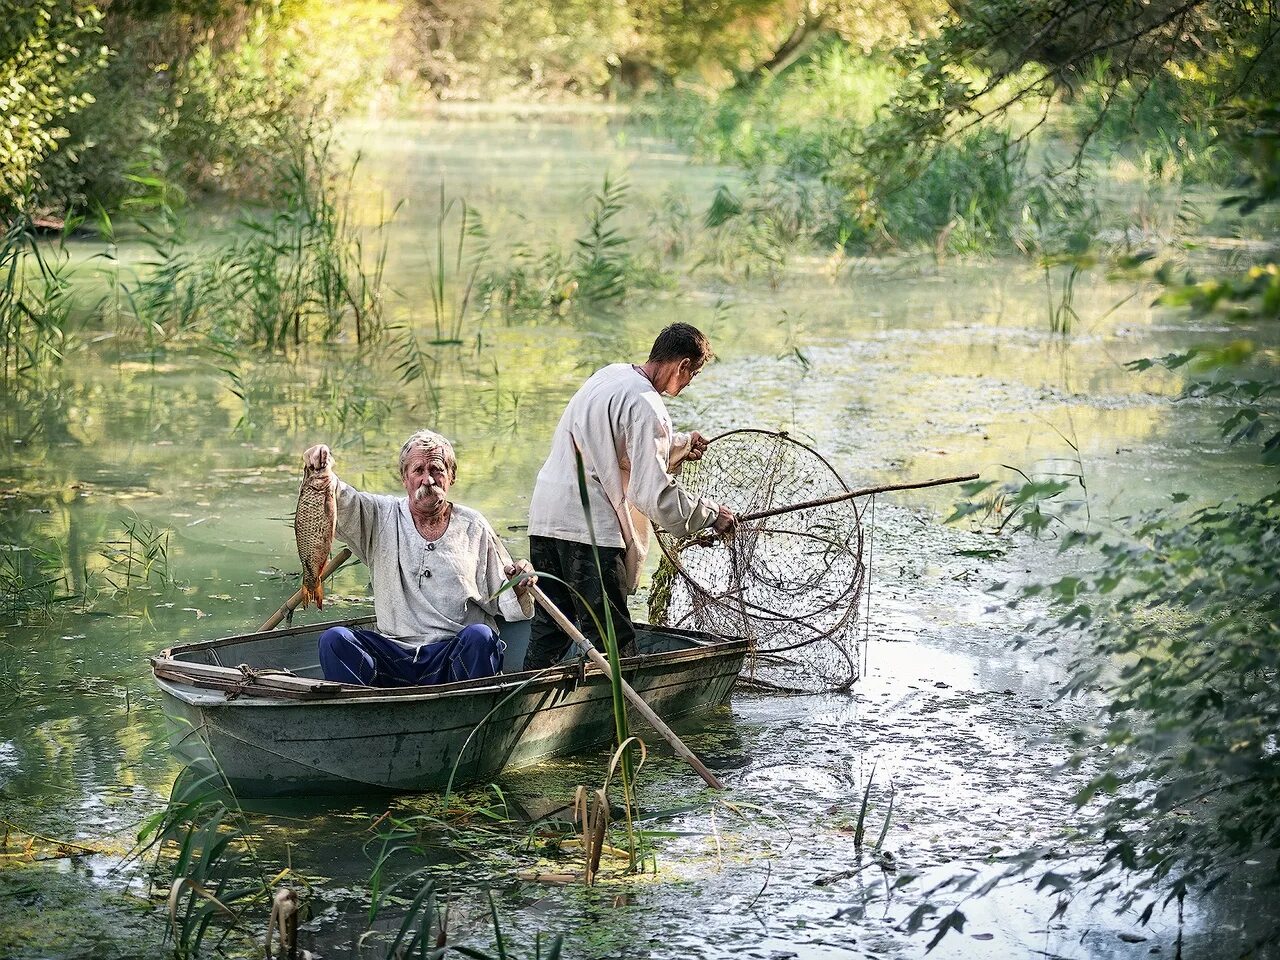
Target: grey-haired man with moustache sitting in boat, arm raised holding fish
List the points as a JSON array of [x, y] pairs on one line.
[[437, 570]]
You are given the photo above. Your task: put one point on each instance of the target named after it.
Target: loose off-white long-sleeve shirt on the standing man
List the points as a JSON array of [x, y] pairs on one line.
[[621, 427]]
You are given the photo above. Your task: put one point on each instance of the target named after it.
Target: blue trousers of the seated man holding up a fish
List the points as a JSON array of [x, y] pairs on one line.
[[369, 659]]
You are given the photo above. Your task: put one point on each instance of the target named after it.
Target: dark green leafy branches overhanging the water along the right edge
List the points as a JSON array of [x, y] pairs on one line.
[[1177, 627]]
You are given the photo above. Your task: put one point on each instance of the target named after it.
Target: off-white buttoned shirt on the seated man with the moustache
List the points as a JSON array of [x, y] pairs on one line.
[[427, 591]]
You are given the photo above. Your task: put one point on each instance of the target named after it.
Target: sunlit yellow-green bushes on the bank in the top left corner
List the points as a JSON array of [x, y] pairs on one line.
[[196, 98]]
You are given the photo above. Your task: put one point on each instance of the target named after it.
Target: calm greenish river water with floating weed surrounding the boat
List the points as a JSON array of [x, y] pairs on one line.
[[895, 369]]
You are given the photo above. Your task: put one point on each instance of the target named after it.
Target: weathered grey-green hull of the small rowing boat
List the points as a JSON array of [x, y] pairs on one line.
[[427, 738]]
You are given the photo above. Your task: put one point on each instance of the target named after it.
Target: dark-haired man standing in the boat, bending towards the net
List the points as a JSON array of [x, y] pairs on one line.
[[630, 455]]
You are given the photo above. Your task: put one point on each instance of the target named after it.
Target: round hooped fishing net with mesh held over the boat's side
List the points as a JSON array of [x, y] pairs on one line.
[[790, 584]]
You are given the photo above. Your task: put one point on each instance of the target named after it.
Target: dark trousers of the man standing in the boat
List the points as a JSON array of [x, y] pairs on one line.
[[575, 564]]
